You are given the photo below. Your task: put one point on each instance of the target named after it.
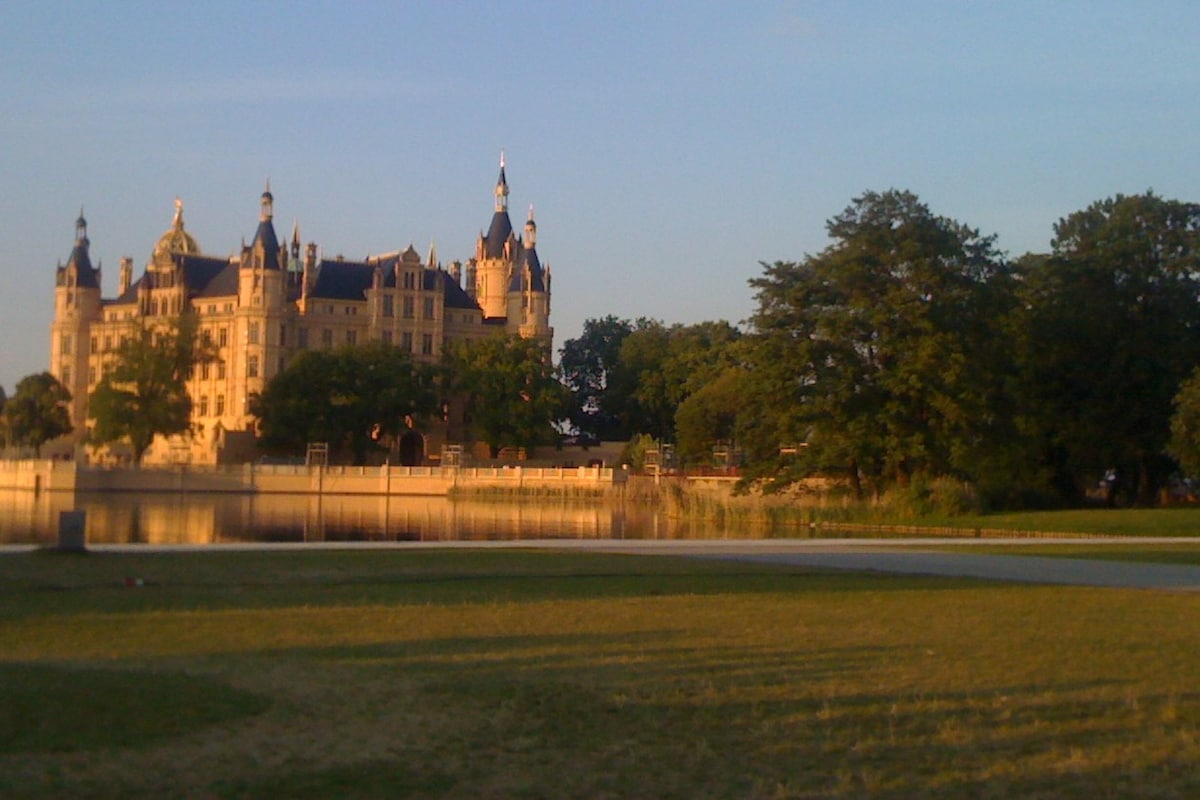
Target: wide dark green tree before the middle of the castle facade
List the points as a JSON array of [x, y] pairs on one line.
[[352, 399]]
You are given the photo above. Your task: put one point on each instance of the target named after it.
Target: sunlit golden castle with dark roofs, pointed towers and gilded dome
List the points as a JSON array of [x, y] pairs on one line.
[[268, 303]]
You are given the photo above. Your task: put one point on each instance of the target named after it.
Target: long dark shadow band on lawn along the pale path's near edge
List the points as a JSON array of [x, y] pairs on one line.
[[106, 584]]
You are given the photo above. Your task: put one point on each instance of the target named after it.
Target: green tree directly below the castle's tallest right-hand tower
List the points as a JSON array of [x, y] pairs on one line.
[[513, 396]]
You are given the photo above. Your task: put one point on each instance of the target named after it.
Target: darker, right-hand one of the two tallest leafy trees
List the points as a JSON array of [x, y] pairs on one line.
[[1112, 333]]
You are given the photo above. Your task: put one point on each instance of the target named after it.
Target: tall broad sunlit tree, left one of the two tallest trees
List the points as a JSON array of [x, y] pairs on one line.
[[878, 357]]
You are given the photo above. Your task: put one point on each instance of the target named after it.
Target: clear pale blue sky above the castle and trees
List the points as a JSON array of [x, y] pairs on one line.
[[669, 147]]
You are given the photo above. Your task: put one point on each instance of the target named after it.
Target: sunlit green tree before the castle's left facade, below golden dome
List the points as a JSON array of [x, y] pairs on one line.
[[145, 390]]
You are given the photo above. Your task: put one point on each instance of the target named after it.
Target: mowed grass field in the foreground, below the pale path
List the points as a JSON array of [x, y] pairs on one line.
[[543, 675]]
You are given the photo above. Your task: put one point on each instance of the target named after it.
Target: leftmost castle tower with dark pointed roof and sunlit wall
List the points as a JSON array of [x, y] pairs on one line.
[[76, 308]]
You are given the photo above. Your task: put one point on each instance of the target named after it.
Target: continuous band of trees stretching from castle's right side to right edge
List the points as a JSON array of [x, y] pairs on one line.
[[911, 350]]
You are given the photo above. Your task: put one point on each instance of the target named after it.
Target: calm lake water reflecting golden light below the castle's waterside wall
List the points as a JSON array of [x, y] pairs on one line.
[[202, 519]]
